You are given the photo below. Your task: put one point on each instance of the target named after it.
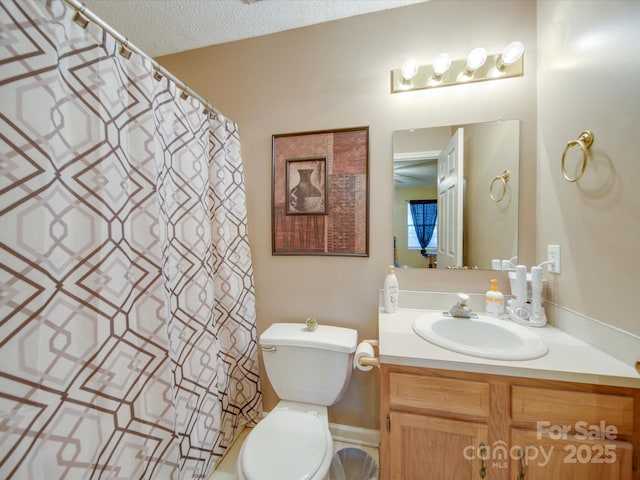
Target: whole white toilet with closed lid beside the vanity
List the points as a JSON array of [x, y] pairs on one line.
[[309, 370]]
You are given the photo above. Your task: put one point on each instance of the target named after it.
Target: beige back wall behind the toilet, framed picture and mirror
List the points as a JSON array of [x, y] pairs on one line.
[[336, 75]]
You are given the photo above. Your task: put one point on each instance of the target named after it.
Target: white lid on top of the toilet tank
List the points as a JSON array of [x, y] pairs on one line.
[[325, 337]]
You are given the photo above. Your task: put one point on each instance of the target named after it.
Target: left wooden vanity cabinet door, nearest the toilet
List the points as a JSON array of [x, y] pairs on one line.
[[431, 448]]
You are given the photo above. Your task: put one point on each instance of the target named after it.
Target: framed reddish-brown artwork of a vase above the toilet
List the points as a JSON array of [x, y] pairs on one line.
[[320, 193]]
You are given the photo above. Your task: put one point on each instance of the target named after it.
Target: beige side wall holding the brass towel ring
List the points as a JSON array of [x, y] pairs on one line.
[[588, 79]]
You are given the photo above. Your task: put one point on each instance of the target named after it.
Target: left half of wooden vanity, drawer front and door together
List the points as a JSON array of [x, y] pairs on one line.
[[421, 438]]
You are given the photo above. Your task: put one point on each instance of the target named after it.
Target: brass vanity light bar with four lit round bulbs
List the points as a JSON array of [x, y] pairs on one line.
[[478, 66]]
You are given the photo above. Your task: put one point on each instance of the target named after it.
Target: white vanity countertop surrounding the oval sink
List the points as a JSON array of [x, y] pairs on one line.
[[568, 359]]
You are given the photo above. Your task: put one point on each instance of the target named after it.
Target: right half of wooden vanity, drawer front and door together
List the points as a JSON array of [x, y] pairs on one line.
[[572, 434]]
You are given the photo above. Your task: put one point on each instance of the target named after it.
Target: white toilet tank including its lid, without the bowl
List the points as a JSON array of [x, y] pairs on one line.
[[308, 366]]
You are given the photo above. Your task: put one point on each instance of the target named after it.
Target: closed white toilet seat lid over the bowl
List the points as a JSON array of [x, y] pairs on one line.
[[285, 445]]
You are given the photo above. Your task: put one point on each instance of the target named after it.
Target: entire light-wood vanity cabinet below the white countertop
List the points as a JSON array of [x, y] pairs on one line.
[[449, 425]]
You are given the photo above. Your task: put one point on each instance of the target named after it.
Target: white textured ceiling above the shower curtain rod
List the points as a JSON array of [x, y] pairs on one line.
[[161, 27]]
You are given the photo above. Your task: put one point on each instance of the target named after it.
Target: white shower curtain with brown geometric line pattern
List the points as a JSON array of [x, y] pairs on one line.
[[127, 314]]
